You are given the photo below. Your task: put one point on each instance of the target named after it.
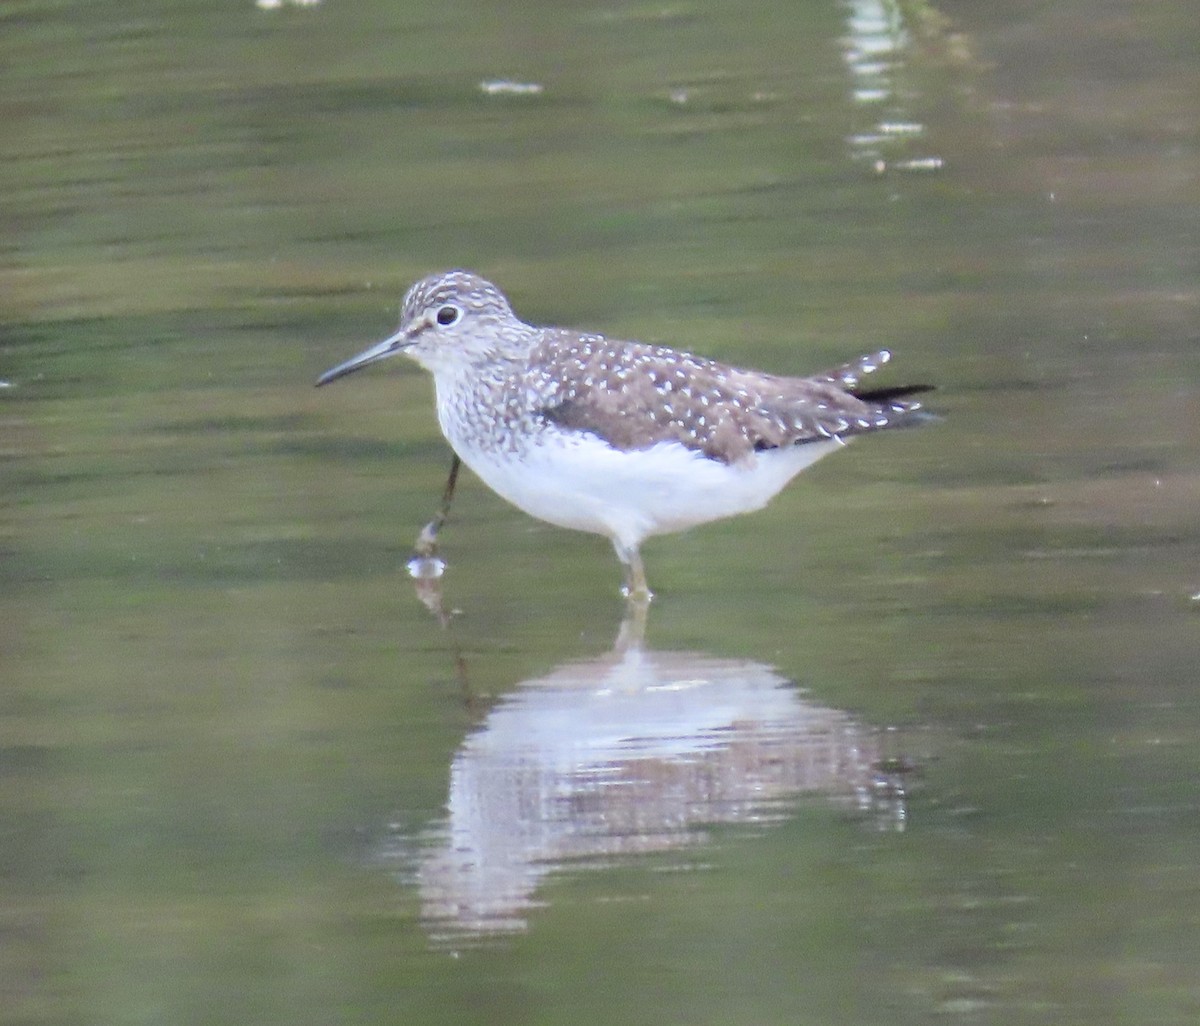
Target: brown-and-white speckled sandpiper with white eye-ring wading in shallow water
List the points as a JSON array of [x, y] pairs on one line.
[[620, 439]]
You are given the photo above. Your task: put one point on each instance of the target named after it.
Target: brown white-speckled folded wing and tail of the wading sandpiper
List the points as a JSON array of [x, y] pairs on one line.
[[635, 397]]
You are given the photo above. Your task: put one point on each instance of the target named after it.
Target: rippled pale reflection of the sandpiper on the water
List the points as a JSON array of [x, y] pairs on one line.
[[632, 753]]
